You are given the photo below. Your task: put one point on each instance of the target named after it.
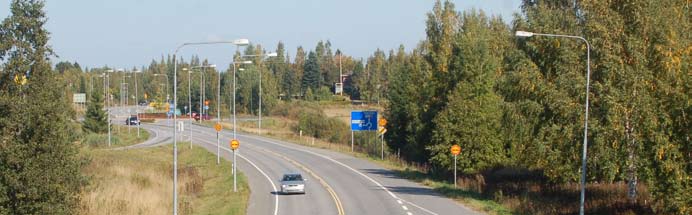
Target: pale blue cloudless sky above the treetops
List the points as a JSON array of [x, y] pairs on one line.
[[127, 33]]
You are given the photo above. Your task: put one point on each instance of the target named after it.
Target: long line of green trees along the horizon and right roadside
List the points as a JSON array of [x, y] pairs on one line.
[[507, 101]]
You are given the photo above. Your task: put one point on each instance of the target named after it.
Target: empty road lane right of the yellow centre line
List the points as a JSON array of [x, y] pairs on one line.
[[363, 187]]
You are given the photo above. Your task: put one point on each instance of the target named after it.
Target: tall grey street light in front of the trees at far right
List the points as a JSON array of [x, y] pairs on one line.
[[586, 107]]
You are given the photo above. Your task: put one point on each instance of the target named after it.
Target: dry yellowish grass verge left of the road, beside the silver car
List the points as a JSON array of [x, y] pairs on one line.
[[139, 181]]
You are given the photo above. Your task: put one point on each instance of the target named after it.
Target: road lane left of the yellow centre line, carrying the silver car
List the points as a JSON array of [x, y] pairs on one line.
[[263, 172]]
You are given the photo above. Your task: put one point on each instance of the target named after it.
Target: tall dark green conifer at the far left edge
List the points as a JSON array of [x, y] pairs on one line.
[[38, 161]]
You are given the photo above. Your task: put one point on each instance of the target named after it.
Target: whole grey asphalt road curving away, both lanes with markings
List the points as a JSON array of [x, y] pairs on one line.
[[337, 183]]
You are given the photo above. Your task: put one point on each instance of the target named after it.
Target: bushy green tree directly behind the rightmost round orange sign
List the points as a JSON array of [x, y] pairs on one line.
[[472, 115]]
